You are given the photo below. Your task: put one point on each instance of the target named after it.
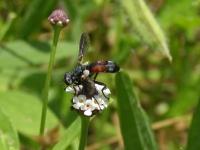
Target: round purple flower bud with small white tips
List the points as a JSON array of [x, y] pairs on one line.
[[59, 17]]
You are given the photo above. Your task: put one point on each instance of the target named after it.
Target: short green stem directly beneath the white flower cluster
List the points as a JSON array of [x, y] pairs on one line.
[[84, 132]]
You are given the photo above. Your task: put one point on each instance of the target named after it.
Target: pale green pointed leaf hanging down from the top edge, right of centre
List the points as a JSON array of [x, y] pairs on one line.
[[145, 24]]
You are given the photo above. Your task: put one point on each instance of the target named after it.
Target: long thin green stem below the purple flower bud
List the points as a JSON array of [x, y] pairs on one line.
[[45, 93]]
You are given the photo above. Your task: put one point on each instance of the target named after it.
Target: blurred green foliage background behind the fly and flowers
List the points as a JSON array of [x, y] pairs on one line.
[[168, 91]]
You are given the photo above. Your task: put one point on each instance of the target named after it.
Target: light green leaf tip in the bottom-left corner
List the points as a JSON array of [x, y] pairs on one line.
[[8, 135]]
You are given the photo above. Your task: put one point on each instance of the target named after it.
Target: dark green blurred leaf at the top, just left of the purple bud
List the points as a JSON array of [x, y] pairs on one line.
[[36, 12]]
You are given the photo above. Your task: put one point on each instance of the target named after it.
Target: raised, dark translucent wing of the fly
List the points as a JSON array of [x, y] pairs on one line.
[[83, 46]]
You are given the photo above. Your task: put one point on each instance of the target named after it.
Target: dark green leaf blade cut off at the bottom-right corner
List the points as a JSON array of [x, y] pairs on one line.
[[194, 136]]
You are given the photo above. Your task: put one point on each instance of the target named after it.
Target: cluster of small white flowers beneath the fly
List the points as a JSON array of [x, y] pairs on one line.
[[92, 105]]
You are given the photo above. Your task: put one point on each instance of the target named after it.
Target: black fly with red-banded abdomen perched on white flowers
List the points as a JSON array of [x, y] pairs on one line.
[[82, 79]]
